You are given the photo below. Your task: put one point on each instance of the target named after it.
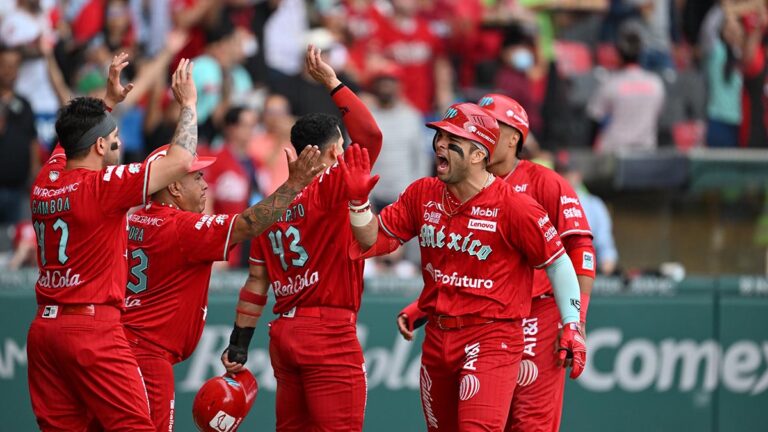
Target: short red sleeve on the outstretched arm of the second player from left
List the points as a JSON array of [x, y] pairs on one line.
[[205, 238]]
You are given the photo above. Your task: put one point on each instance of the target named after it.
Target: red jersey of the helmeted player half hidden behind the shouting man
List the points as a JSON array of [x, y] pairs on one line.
[[558, 198]]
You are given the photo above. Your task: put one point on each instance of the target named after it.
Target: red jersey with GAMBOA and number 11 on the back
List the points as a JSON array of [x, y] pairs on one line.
[[79, 221]]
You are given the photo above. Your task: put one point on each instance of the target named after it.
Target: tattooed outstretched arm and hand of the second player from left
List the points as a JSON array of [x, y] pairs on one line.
[[255, 219]]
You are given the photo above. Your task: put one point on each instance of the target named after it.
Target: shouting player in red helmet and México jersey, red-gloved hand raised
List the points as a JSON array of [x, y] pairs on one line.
[[480, 241]]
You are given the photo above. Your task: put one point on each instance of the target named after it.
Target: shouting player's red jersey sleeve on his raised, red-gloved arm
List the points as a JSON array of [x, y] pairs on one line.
[[398, 220]]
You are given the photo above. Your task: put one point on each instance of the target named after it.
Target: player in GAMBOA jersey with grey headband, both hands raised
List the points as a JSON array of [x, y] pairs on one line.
[[80, 364]]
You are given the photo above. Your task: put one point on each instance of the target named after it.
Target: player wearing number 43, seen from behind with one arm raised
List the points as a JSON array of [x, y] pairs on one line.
[[315, 354]]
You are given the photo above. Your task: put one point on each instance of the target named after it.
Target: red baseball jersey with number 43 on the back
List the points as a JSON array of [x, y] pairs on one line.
[[305, 252]]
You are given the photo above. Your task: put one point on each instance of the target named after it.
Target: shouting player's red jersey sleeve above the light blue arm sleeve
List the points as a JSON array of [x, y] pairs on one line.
[[533, 233]]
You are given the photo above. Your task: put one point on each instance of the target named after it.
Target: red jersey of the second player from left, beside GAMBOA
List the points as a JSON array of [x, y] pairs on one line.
[[170, 254]]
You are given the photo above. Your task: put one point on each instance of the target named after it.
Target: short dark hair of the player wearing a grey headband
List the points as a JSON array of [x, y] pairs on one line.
[[75, 119]]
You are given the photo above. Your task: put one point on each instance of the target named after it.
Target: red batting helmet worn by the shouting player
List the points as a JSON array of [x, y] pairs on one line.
[[467, 120]]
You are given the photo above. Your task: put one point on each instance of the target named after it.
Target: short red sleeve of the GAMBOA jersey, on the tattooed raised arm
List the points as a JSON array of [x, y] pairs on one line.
[[120, 187]]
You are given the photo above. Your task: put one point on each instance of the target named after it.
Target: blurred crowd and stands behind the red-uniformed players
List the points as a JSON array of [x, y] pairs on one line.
[[619, 93]]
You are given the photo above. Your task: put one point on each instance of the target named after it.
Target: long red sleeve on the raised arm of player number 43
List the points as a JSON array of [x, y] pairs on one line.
[[358, 120]]
